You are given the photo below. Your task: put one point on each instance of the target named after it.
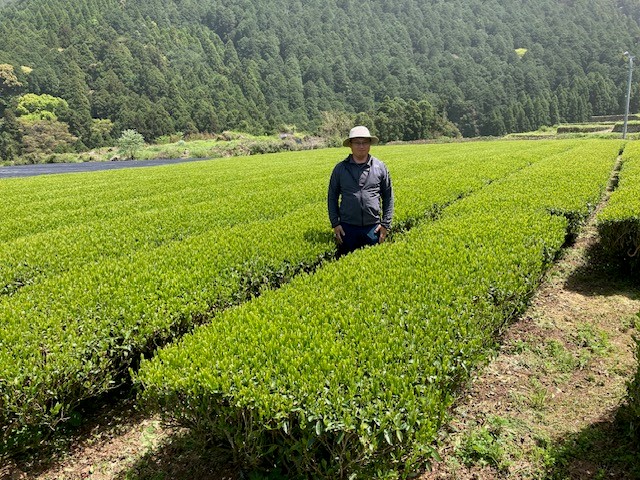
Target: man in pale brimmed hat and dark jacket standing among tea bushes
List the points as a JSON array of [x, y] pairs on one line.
[[359, 188]]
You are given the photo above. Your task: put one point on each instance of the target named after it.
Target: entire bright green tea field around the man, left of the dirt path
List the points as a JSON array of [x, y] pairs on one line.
[[97, 269]]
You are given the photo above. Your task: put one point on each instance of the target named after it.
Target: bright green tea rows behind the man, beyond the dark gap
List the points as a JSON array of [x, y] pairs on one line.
[[98, 268]]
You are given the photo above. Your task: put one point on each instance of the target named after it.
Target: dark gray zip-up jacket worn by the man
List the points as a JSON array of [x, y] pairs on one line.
[[361, 189]]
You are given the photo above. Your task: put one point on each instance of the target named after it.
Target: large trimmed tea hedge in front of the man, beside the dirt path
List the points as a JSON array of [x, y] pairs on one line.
[[349, 371]]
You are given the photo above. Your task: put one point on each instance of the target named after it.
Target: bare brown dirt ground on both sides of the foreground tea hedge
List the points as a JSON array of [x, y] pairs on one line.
[[543, 407]]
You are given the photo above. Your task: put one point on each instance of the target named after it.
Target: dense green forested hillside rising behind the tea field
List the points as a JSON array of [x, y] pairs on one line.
[[74, 75]]
